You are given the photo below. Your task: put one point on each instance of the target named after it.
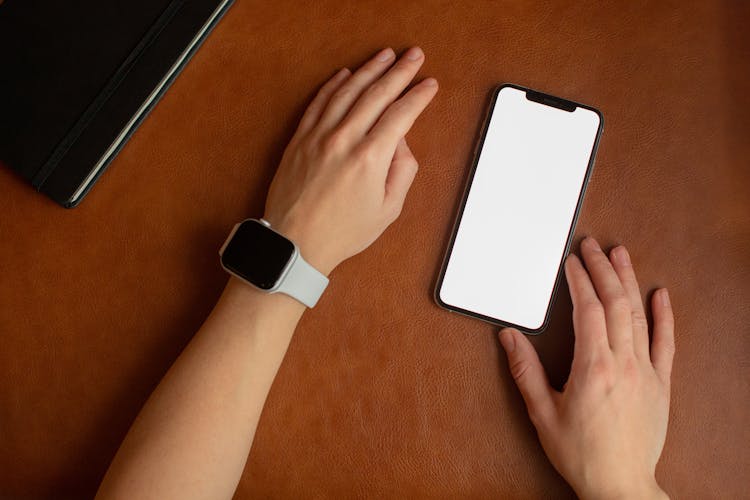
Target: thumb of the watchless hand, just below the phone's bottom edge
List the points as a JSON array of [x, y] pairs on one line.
[[528, 373]]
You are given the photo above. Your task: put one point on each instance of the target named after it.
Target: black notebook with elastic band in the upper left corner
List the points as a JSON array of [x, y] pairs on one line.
[[76, 79]]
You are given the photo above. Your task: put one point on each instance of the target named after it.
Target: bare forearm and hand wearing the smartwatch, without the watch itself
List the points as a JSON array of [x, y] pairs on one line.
[[341, 182]]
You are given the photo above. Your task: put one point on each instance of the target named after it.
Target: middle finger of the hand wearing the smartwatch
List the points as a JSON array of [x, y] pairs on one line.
[[384, 91]]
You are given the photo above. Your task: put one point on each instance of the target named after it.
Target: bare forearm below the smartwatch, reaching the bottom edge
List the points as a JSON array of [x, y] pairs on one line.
[[192, 438]]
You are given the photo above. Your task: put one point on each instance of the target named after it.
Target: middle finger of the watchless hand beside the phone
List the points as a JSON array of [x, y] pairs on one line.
[[617, 308]]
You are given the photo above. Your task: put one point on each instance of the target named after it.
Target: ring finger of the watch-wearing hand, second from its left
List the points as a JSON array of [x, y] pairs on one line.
[[347, 94]]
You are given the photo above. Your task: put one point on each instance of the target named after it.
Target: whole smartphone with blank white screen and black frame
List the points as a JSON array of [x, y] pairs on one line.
[[520, 208]]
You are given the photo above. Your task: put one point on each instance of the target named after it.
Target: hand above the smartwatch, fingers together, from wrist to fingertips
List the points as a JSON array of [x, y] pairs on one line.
[[345, 174]]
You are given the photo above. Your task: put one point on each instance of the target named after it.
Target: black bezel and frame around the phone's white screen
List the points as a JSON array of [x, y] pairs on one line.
[[549, 100]]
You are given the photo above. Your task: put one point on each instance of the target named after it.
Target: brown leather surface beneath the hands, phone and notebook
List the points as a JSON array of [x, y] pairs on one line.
[[383, 394]]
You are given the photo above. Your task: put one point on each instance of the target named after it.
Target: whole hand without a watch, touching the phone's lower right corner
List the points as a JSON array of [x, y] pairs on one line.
[[605, 431]]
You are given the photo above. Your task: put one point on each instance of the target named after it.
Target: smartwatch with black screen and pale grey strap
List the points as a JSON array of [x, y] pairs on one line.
[[270, 262]]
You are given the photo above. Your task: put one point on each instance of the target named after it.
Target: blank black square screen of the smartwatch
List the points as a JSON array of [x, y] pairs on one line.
[[258, 254]]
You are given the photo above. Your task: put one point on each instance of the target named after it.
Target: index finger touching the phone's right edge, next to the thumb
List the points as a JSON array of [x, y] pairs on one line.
[[589, 322]]
